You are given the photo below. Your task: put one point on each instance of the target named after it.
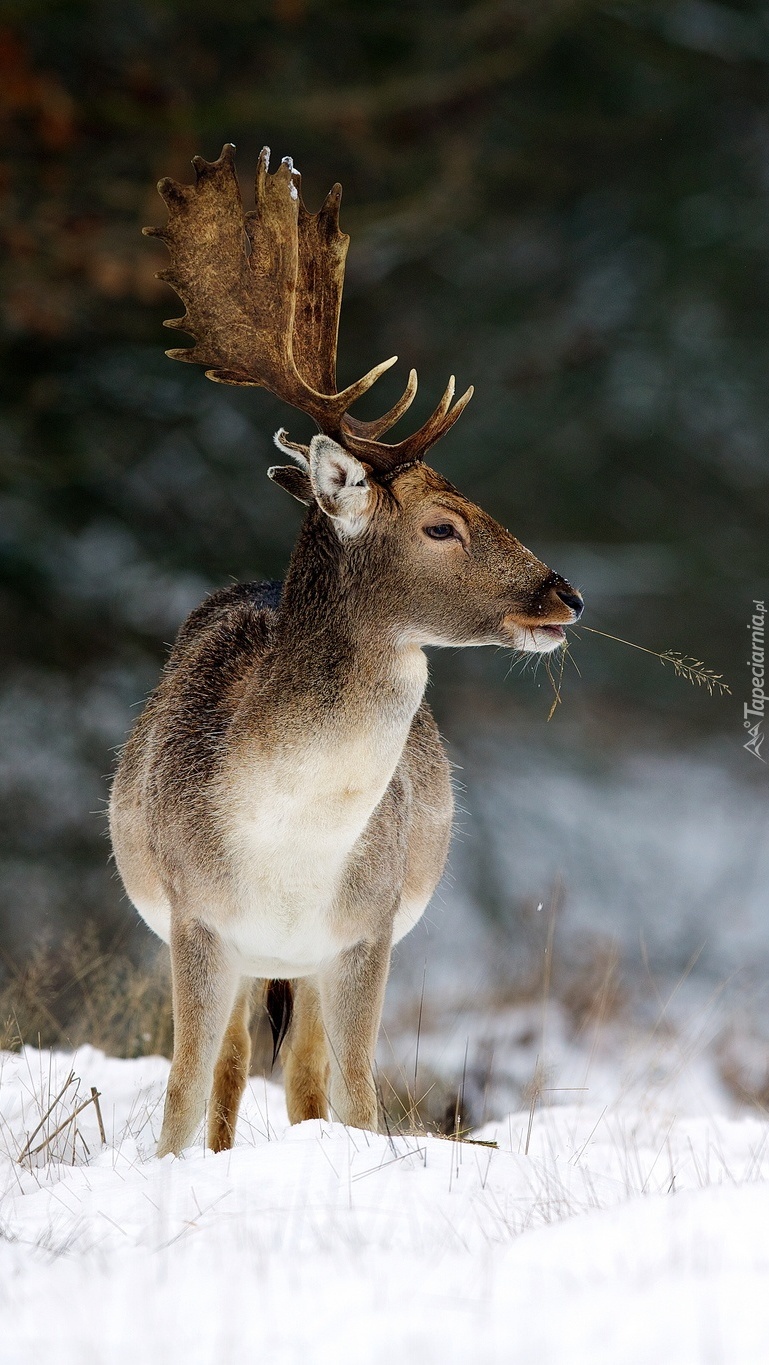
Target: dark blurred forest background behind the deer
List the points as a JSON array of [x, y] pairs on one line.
[[565, 203]]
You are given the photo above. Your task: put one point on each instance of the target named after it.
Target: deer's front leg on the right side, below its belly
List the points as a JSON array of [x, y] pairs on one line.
[[352, 998]]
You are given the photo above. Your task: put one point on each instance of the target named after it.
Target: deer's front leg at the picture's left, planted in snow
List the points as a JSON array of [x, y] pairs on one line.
[[206, 982]]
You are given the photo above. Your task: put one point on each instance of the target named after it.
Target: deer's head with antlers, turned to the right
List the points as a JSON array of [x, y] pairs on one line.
[[263, 294]]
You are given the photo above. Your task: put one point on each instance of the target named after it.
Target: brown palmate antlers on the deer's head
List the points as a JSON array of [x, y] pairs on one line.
[[263, 294]]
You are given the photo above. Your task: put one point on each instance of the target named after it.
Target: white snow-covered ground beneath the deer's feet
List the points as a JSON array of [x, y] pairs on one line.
[[628, 1229]]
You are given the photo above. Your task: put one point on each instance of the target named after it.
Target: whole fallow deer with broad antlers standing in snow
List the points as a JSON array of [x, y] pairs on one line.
[[283, 806]]
